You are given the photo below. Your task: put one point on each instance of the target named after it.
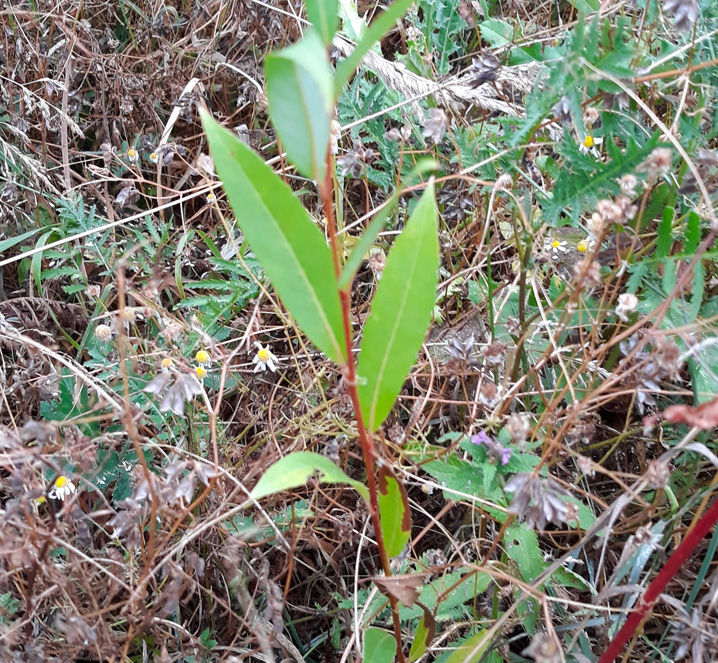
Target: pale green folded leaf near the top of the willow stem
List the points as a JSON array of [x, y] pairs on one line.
[[299, 90]]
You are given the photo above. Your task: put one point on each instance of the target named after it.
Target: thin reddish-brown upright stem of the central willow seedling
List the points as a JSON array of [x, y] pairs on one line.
[[350, 377]]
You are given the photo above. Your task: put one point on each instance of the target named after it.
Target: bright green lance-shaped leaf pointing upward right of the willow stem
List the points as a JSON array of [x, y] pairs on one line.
[[400, 313]]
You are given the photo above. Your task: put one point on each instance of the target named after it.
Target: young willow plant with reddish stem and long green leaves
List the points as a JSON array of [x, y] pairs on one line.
[[308, 274]]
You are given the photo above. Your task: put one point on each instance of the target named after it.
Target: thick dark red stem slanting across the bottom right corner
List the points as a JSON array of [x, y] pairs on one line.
[[673, 565]]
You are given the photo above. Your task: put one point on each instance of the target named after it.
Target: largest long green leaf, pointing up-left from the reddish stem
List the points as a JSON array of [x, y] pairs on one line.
[[290, 248]]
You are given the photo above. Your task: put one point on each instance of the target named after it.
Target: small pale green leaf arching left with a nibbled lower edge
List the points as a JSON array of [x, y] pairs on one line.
[[294, 470]]
